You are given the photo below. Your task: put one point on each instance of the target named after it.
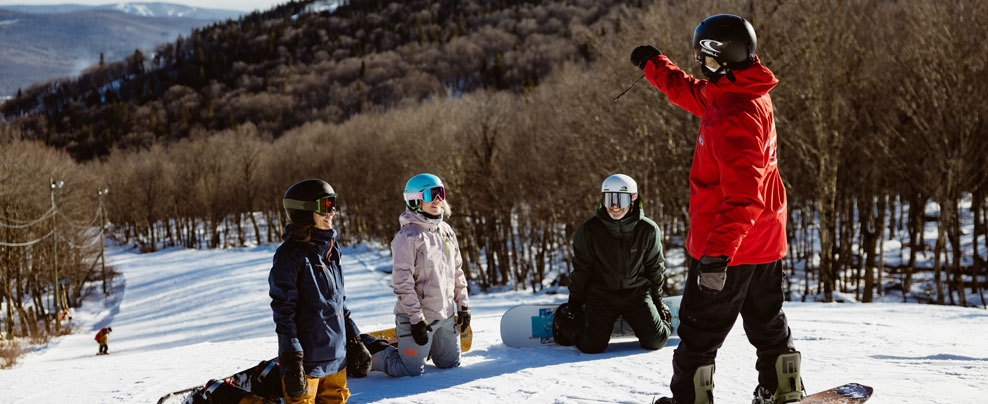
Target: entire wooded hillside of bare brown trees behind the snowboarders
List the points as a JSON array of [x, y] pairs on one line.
[[869, 138]]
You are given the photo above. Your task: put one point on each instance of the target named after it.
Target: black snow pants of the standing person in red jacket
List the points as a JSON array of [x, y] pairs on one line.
[[754, 291]]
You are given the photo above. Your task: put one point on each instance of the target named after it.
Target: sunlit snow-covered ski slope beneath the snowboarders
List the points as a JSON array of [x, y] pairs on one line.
[[180, 317]]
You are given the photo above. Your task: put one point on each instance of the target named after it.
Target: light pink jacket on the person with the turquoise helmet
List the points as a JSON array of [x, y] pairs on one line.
[[428, 270]]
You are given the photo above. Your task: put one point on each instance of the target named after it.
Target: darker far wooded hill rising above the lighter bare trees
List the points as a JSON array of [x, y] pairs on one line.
[[288, 66]]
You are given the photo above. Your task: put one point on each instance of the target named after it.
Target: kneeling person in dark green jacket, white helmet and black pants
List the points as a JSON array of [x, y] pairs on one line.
[[618, 269]]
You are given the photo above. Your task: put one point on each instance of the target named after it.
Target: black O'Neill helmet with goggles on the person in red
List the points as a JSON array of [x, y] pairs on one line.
[[728, 40]]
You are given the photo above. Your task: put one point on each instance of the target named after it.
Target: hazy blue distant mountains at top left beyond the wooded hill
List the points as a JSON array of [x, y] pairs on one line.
[[40, 43]]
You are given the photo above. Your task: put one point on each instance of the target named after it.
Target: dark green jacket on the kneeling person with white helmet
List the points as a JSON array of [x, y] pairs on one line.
[[616, 259]]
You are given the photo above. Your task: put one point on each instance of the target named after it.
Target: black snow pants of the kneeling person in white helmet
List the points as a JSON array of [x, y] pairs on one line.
[[637, 309]]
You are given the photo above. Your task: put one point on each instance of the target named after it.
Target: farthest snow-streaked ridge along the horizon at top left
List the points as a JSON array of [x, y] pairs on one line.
[[143, 9]]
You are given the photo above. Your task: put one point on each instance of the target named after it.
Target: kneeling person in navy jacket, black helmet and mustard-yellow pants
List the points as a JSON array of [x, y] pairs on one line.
[[311, 318]]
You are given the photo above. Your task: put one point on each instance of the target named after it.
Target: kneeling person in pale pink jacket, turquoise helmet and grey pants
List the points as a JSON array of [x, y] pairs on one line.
[[428, 280]]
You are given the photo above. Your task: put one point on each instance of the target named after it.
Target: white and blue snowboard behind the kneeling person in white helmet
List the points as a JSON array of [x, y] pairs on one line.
[[531, 324]]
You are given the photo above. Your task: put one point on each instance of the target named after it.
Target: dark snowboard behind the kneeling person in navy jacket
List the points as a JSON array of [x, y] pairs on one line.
[[260, 384]]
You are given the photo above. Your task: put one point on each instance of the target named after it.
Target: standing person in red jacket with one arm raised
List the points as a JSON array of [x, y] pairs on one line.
[[737, 234]]
